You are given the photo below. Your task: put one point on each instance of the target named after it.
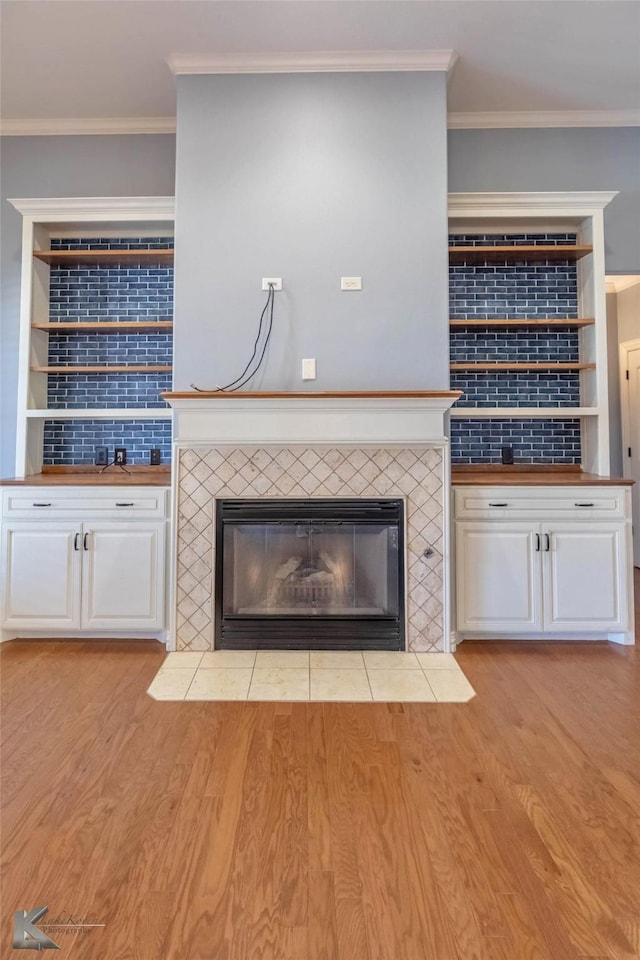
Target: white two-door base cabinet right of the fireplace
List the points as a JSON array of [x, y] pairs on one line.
[[543, 562]]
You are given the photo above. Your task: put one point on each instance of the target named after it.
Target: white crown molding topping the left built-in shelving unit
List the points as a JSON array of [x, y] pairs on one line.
[[63, 209]]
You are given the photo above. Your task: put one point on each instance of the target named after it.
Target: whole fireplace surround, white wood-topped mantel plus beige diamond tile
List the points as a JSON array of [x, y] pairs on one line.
[[287, 445]]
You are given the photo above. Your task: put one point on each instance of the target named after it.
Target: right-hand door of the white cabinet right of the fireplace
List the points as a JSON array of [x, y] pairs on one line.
[[584, 574]]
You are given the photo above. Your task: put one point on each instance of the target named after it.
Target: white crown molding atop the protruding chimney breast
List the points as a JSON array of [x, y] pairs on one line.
[[333, 61]]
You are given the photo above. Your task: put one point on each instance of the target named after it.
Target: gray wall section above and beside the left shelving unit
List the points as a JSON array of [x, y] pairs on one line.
[[103, 166]]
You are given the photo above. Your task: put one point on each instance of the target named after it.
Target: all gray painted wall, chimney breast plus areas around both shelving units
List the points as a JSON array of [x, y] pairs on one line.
[[329, 179]]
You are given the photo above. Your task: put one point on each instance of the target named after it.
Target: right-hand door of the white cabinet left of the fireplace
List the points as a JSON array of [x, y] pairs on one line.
[[123, 576]]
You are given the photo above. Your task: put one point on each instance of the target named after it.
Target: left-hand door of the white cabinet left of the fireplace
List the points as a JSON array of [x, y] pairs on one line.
[[41, 575]]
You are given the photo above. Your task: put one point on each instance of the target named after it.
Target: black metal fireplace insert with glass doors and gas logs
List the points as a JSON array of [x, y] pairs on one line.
[[309, 574]]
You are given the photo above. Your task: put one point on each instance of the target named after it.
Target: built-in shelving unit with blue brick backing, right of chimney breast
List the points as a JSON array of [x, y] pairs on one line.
[[545, 358]]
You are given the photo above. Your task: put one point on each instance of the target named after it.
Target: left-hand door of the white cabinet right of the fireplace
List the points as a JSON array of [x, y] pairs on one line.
[[498, 581]]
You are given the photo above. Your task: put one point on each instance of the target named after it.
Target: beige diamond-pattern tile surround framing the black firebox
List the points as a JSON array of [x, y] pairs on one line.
[[416, 474]]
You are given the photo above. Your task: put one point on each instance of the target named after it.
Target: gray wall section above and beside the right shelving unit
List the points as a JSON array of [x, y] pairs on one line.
[[563, 159]]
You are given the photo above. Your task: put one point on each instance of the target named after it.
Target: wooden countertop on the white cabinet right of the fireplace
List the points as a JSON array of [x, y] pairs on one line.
[[530, 477]]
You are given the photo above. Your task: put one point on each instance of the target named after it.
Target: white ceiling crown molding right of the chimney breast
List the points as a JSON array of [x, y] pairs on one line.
[[544, 118]]
